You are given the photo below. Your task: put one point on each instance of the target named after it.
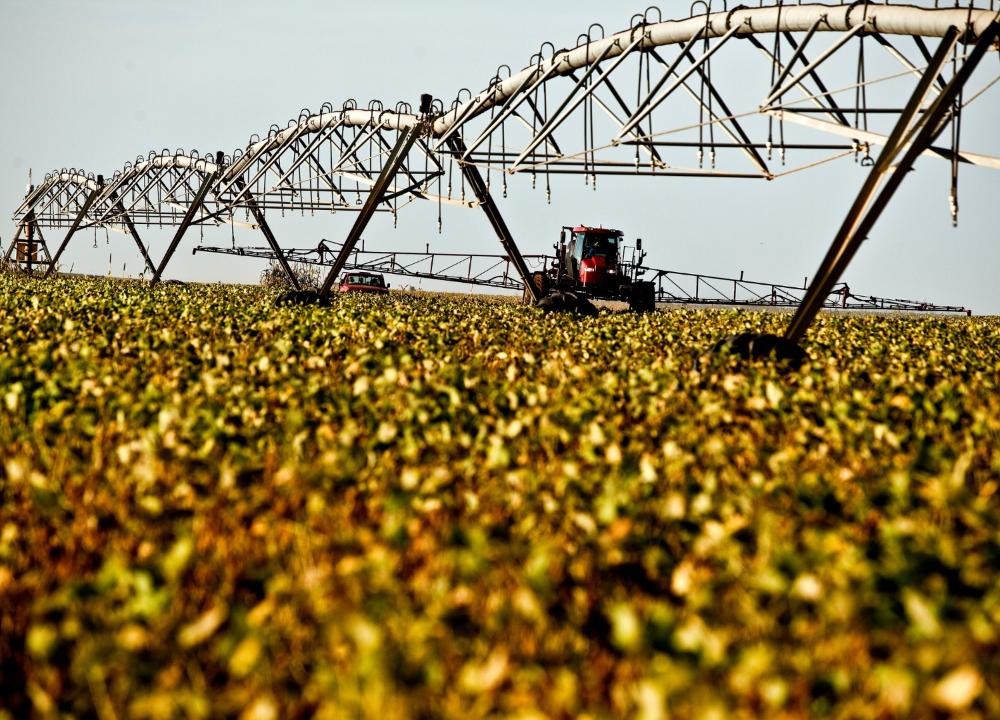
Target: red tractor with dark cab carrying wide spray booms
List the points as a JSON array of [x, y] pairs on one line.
[[590, 265]]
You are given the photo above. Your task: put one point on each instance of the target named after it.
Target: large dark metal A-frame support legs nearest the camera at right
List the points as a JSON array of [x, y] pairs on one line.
[[870, 203]]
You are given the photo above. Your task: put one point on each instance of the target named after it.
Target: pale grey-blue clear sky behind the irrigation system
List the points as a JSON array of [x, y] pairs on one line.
[[93, 84]]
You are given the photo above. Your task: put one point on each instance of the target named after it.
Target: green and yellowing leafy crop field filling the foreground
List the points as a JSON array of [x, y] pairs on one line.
[[417, 506]]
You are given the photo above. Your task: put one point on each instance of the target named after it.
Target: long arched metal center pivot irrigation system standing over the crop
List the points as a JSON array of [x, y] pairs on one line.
[[880, 83]]
